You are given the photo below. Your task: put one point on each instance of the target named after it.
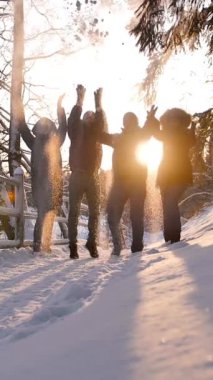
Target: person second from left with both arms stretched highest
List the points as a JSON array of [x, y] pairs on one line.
[[85, 160]]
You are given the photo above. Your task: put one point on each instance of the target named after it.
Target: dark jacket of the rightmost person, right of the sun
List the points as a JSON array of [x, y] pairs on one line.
[[175, 167]]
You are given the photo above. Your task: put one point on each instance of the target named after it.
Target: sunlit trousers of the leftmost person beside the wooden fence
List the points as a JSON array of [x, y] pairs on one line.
[[43, 228]]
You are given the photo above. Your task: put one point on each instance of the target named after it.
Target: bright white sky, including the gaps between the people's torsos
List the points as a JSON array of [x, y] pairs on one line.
[[107, 64]]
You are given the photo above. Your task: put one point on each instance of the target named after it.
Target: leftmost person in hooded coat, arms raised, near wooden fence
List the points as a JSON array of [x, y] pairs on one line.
[[45, 141]]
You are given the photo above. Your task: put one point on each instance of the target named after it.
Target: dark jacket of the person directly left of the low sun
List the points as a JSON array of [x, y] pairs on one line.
[[125, 165]]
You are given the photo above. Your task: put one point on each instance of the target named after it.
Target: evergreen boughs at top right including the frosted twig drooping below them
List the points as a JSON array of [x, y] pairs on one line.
[[163, 28]]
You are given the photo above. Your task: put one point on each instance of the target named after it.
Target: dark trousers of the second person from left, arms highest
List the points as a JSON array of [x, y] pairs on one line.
[[83, 183]]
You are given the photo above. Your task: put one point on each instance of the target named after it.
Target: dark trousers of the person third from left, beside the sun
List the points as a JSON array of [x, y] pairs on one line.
[[120, 193]]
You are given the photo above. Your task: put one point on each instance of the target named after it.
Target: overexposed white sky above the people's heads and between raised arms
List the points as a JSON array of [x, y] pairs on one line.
[[114, 64]]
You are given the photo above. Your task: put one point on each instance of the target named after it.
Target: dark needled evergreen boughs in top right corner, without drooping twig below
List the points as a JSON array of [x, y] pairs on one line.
[[162, 25]]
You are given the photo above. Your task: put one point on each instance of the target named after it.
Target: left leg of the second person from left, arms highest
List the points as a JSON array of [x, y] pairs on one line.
[[76, 191]]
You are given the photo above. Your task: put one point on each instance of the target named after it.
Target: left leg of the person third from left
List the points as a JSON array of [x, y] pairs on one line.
[[116, 202]]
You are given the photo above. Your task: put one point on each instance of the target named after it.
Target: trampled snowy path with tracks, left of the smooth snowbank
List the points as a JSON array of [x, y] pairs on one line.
[[37, 290]]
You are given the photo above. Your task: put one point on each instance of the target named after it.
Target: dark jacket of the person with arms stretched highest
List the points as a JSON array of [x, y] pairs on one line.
[[85, 150]]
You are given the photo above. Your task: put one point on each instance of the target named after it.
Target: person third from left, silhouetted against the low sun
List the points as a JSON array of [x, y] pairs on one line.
[[129, 180]]
